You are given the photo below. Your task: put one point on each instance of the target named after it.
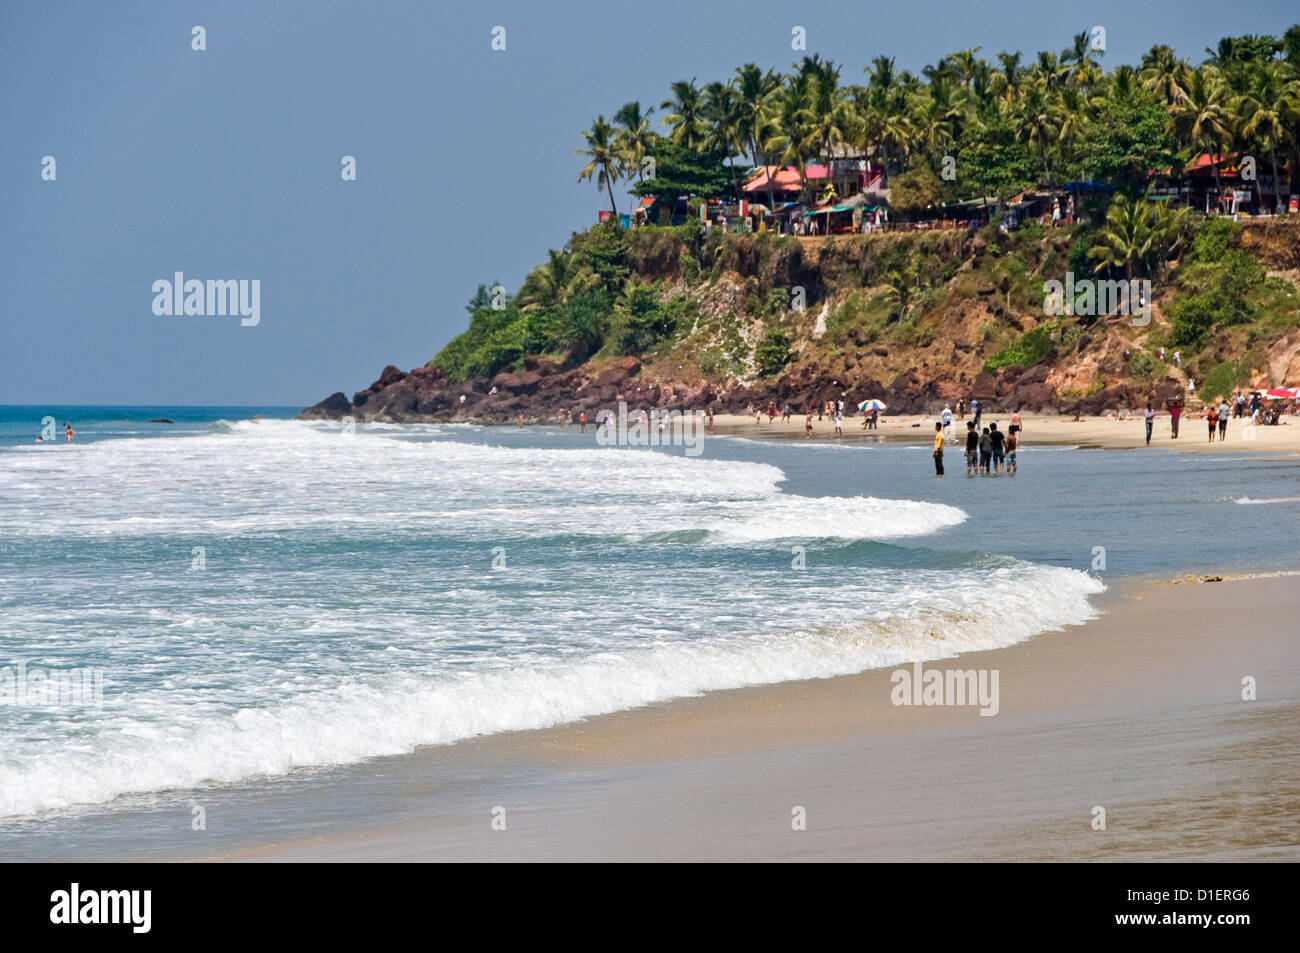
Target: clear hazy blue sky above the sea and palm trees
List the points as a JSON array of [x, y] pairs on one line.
[[226, 163]]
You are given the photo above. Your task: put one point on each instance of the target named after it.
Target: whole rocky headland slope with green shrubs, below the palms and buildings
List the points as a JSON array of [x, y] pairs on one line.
[[677, 318]]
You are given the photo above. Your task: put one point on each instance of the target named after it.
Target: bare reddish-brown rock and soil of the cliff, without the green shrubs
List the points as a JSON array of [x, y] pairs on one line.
[[974, 302]]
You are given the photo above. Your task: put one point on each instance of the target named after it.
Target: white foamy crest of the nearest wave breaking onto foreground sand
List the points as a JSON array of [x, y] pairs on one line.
[[363, 720]]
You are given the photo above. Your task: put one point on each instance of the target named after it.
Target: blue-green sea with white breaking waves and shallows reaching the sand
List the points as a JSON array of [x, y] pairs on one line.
[[267, 603]]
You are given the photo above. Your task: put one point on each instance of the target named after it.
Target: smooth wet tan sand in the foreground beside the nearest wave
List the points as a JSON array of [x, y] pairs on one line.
[[1139, 713]]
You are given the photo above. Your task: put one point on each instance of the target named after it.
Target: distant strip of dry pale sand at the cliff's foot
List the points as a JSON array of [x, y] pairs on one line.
[[1106, 434]]
